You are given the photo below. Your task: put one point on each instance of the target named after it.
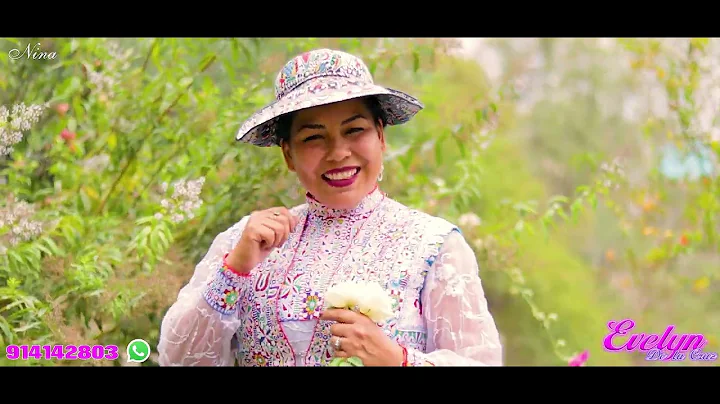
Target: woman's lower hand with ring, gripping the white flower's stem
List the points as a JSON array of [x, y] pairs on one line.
[[361, 337]]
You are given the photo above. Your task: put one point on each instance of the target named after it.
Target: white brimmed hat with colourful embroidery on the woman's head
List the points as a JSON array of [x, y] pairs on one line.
[[319, 77]]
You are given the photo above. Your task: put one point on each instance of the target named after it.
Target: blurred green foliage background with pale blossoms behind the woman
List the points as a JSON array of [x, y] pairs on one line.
[[582, 171]]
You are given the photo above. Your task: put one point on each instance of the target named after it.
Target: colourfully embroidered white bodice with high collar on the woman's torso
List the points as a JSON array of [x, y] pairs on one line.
[[382, 241]]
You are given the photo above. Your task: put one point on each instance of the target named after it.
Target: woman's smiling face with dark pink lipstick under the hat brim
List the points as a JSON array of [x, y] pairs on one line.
[[336, 151]]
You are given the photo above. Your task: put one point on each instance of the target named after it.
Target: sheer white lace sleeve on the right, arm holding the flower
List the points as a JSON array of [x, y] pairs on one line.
[[461, 330]]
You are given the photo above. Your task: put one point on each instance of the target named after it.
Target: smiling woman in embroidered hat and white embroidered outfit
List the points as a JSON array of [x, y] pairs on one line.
[[258, 293]]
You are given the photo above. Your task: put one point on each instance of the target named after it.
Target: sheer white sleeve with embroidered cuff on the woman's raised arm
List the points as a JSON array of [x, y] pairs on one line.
[[198, 328]]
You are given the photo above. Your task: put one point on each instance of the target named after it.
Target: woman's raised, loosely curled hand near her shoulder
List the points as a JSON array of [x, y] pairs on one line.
[[265, 230]]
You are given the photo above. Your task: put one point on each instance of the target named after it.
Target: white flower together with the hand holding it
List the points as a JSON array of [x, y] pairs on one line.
[[358, 340]]
